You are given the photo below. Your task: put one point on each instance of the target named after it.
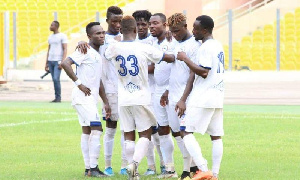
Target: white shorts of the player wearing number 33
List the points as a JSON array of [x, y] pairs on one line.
[[138, 118]]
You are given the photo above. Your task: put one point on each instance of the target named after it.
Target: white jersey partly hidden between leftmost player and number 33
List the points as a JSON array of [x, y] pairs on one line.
[[109, 76]]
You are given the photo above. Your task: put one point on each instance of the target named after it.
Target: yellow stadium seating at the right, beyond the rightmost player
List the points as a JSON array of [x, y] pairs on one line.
[[258, 51]]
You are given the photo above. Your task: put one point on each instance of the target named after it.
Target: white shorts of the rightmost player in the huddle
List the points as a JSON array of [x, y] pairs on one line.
[[203, 120]]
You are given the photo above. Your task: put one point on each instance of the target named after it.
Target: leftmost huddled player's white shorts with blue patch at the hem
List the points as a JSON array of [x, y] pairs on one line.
[[88, 114]]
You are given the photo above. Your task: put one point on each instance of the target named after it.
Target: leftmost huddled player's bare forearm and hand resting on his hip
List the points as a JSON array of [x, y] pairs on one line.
[[67, 66]]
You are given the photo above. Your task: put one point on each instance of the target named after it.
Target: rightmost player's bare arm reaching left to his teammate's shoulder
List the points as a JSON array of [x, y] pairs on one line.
[[200, 71]]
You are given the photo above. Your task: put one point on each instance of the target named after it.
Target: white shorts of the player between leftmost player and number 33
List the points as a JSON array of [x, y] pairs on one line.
[[113, 102]]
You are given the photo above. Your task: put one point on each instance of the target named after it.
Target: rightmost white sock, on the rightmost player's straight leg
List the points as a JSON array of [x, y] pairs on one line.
[[217, 153]]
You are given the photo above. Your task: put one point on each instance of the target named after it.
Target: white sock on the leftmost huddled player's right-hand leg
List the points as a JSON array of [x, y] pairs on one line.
[[94, 147]]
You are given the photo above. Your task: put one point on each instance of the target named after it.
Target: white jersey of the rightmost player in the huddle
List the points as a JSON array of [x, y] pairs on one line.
[[209, 92]]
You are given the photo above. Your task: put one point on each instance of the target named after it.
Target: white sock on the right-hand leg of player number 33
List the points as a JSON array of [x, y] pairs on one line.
[[141, 149]]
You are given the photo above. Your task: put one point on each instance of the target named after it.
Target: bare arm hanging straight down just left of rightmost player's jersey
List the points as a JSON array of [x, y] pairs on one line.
[[181, 104]]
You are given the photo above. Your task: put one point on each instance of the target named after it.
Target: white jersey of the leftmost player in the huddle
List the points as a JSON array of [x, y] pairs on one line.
[[88, 70]]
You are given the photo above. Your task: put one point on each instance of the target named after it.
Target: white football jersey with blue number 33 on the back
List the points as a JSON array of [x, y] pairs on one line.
[[131, 61]]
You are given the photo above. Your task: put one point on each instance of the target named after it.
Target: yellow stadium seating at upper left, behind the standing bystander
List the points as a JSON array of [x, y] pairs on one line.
[[35, 16]]
